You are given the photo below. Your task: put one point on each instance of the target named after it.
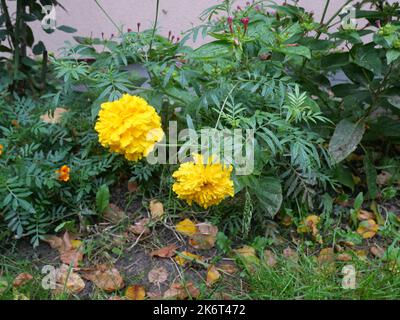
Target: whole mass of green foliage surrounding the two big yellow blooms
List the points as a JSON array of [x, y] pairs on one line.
[[272, 76]]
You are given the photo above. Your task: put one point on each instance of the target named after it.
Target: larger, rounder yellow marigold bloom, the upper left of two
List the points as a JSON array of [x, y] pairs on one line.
[[129, 126]]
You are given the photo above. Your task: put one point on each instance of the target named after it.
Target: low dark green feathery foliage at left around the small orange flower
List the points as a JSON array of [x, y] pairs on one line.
[[33, 199]]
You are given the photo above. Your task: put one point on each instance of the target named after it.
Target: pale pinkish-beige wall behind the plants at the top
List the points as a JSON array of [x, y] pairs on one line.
[[175, 15]]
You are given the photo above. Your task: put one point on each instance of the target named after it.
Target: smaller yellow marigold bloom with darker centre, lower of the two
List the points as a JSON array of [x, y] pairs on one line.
[[205, 184]]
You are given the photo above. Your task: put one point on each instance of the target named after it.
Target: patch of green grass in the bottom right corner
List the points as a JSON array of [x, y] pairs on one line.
[[307, 280]]
